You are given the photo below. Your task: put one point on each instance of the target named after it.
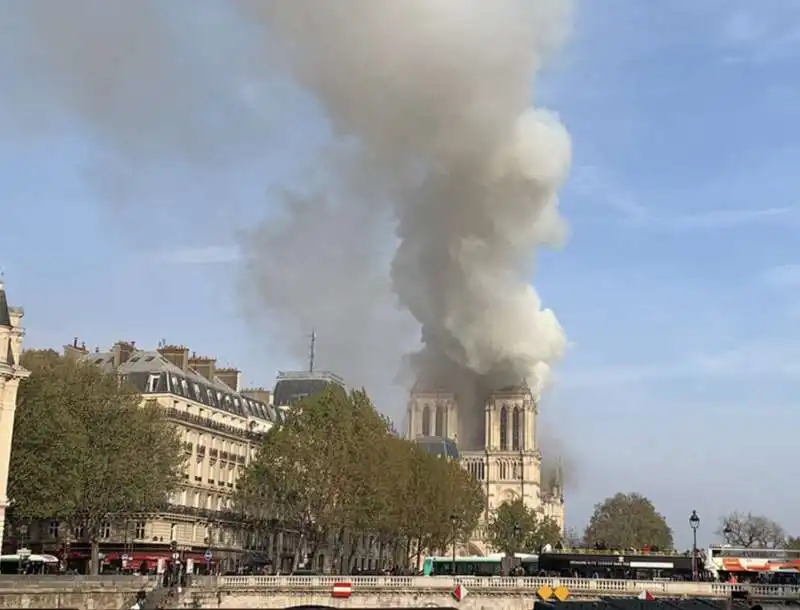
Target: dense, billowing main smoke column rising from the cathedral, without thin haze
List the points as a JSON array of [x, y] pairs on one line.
[[436, 97]]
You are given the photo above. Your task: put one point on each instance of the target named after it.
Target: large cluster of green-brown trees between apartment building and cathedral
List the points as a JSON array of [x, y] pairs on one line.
[[336, 470]]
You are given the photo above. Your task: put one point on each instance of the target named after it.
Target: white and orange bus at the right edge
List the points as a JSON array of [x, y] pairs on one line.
[[778, 566]]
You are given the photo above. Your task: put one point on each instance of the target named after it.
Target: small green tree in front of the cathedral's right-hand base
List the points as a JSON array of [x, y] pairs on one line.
[[514, 528]]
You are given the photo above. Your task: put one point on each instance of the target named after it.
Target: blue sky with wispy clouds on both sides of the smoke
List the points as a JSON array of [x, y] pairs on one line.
[[679, 288]]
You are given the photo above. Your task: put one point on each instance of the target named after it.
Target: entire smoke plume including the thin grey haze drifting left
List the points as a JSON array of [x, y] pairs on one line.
[[433, 136]]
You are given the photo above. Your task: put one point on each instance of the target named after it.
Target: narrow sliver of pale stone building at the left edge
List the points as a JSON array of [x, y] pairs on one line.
[[11, 373]]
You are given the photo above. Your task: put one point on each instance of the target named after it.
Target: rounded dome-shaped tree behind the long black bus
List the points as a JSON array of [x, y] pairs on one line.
[[628, 521]]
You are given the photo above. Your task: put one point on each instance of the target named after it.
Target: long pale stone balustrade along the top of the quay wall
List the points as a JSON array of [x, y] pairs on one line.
[[526, 586]]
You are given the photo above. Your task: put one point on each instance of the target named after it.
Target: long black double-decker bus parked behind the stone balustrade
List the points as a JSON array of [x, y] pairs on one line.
[[633, 565]]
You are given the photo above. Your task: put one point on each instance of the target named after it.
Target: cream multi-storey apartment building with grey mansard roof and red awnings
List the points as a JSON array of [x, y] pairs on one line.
[[221, 425]]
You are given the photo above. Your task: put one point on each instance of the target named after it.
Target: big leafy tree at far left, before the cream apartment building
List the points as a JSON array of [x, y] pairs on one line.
[[85, 450]]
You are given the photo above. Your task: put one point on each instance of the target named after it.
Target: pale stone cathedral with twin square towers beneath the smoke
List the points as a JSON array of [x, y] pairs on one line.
[[504, 457]]
